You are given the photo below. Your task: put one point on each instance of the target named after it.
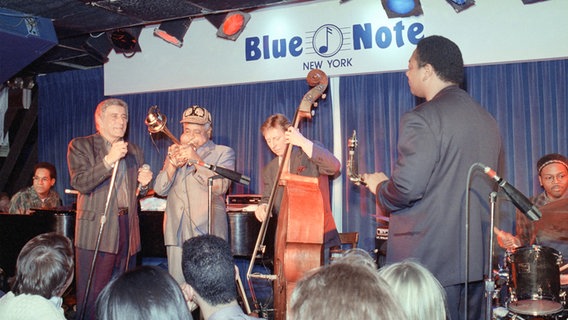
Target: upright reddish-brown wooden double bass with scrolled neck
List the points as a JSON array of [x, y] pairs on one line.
[[299, 236]]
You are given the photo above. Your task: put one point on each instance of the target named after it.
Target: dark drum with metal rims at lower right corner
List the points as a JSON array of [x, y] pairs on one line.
[[535, 280]]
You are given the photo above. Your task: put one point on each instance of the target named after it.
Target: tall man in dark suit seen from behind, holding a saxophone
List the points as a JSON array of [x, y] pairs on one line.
[[439, 142]]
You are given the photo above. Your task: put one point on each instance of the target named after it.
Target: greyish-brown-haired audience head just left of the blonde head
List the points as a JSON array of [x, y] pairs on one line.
[[349, 288]]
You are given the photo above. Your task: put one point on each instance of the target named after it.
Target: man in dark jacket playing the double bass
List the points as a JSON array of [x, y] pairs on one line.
[[308, 159]]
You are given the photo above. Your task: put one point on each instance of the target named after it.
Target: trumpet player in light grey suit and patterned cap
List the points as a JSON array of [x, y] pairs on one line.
[[186, 185]]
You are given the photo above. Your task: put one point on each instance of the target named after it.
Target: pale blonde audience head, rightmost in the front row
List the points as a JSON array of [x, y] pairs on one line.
[[416, 289]]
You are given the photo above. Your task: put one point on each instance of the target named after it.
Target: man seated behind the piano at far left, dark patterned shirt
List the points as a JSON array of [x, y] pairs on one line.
[[40, 195]]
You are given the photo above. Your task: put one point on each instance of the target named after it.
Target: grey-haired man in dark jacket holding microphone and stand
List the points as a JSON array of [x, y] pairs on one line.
[[93, 161]]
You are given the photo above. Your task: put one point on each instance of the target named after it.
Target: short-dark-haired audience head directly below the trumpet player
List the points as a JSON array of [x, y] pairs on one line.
[[209, 268]]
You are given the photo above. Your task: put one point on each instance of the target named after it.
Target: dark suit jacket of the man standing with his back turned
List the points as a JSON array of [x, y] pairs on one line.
[[439, 141]]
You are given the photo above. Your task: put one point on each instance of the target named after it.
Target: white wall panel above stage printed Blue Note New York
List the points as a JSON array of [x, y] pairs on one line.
[[492, 31]]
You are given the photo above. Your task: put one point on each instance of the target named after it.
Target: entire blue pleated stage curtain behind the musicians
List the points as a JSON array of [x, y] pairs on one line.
[[527, 99]]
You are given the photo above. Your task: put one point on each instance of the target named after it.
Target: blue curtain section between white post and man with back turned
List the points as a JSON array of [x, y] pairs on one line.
[[372, 105]]
